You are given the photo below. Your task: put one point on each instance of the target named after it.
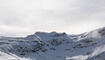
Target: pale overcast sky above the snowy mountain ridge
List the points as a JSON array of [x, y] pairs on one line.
[[23, 17]]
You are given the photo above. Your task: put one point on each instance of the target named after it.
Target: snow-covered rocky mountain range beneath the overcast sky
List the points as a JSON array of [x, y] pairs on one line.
[[54, 46]]
